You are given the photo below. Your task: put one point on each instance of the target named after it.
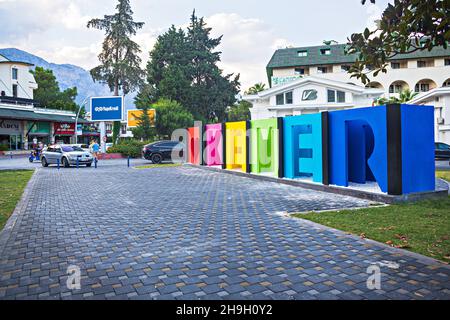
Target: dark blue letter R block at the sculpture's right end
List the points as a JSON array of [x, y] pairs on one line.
[[392, 145]]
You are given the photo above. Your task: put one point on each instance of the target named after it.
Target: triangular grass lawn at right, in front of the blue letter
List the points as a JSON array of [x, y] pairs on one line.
[[422, 227]]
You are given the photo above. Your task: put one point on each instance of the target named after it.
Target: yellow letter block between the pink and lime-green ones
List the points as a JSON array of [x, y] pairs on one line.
[[236, 142]]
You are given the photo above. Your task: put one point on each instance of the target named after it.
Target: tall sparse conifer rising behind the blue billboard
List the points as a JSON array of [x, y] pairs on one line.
[[120, 62]]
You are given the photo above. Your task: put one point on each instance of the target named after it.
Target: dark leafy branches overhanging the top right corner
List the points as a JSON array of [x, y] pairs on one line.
[[406, 26]]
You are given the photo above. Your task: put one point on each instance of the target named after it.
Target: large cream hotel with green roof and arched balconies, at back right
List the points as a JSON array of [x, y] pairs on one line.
[[420, 71]]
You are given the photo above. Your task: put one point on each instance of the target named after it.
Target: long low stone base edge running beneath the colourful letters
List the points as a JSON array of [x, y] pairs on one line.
[[366, 195]]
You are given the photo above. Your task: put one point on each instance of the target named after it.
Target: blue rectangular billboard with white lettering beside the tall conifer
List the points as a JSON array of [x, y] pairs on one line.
[[107, 109]]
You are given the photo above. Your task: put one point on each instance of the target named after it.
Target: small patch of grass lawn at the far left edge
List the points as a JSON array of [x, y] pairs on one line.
[[12, 184]]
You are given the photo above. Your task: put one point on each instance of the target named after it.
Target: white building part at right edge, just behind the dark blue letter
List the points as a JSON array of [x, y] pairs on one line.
[[440, 99]]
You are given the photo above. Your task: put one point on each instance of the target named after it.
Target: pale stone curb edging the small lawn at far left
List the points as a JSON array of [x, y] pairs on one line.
[[5, 234]]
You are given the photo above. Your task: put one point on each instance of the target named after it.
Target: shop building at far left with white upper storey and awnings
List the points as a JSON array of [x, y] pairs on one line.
[[22, 124]]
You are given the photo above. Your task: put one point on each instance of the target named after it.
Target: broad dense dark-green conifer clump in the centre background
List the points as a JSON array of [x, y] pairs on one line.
[[183, 67]]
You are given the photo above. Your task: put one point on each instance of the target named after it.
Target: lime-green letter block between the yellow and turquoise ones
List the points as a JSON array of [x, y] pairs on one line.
[[264, 140]]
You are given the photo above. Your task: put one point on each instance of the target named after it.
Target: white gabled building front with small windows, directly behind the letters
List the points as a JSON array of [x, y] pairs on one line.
[[309, 95]]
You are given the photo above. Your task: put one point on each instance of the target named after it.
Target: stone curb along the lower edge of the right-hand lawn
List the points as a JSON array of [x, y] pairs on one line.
[[419, 257]]
